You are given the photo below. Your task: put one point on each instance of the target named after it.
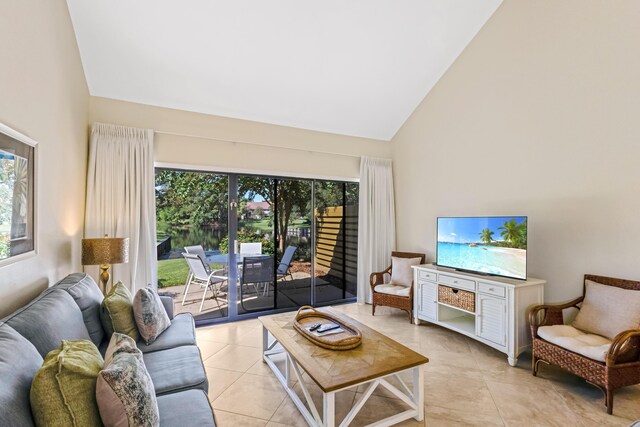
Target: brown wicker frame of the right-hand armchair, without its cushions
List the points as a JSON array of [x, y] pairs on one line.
[[621, 367]]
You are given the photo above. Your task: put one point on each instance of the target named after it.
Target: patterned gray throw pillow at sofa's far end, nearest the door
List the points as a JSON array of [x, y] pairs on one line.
[[150, 315]]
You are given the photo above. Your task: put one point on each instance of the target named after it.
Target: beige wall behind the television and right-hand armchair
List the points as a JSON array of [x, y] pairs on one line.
[[539, 116]]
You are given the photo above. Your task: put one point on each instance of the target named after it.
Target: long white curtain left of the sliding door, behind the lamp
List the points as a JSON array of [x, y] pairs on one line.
[[121, 198]]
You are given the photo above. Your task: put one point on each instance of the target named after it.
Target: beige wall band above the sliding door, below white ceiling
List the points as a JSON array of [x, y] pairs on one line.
[[234, 156]]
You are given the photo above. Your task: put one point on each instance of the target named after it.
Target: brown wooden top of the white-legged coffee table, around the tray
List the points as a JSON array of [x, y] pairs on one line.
[[377, 356]]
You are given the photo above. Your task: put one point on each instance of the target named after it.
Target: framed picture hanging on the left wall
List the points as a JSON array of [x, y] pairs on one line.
[[17, 196]]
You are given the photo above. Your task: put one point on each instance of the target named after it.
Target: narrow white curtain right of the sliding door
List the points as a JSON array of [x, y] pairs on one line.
[[376, 221]]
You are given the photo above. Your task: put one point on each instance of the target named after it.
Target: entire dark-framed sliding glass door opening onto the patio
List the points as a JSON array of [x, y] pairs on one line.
[[275, 243]]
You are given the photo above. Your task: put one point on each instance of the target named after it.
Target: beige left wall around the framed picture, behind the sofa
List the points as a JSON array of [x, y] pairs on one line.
[[43, 94]]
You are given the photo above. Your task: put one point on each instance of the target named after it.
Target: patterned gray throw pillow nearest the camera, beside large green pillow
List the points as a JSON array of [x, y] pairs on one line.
[[124, 390]]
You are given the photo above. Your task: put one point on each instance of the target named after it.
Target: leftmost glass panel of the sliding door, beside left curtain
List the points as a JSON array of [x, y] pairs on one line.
[[192, 216]]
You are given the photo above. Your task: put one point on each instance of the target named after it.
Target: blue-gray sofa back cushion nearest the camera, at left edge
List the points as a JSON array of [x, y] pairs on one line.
[[19, 361]]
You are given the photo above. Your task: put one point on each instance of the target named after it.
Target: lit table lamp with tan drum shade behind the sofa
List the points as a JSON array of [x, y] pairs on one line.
[[104, 252]]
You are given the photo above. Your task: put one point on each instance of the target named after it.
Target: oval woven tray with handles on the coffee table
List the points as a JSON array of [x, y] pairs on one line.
[[350, 338]]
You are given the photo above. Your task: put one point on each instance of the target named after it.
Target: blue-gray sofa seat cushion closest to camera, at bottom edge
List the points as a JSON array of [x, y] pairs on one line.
[[174, 406]]
